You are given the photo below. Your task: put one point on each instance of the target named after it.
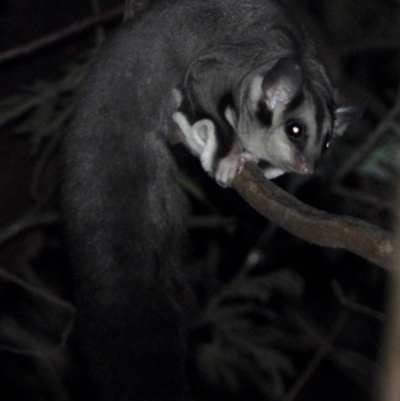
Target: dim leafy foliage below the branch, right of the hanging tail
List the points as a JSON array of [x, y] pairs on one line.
[[243, 335]]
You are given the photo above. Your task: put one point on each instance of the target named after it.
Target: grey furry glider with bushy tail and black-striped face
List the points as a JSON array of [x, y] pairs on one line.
[[165, 71]]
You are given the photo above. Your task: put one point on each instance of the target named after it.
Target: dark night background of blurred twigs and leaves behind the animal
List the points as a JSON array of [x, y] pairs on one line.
[[316, 345]]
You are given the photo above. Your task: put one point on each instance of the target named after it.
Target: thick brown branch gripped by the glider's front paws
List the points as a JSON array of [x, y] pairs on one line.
[[310, 224]]
